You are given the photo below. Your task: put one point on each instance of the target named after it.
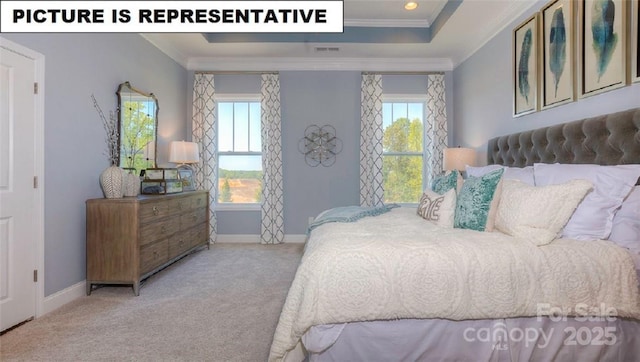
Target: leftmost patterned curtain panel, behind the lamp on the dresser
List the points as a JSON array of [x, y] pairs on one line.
[[205, 135]]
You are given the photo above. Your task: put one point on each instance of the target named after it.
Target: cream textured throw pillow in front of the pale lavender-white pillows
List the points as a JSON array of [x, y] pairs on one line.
[[538, 213]]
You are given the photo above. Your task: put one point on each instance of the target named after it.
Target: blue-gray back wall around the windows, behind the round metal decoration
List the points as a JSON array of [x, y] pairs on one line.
[[308, 98]]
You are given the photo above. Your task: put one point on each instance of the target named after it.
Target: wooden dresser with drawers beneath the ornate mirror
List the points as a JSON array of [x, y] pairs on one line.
[[129, 239]]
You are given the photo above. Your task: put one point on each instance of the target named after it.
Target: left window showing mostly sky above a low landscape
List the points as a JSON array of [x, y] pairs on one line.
[[239, 152]]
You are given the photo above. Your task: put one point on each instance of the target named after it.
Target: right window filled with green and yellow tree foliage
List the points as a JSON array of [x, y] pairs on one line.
[[403, 145]]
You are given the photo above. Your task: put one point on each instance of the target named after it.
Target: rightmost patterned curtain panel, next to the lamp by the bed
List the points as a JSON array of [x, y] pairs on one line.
[[436, 131]]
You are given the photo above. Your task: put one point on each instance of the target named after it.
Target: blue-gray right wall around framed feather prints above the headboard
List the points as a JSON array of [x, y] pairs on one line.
[[483, 89]]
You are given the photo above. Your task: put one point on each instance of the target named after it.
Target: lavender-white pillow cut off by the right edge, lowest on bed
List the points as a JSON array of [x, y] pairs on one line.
[[626, 224]]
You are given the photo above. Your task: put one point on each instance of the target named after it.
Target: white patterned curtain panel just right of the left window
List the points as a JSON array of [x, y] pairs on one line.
[[272, 229]]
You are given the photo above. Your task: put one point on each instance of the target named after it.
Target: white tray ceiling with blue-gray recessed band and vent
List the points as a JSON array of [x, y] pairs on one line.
[[378, 35]]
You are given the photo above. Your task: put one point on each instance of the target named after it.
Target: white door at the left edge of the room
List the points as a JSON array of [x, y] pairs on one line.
[[18, 194]]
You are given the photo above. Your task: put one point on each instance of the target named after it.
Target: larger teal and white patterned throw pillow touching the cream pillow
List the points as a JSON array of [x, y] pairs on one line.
[[475, 200]]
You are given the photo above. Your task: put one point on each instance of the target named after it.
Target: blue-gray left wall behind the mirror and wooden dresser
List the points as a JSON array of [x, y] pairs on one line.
[[76, 66]]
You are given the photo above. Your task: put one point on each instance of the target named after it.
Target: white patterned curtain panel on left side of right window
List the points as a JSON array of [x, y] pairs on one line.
[[371, 182]]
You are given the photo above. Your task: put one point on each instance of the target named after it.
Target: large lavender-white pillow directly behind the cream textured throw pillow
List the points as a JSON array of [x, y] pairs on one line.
[[593, 219]]
